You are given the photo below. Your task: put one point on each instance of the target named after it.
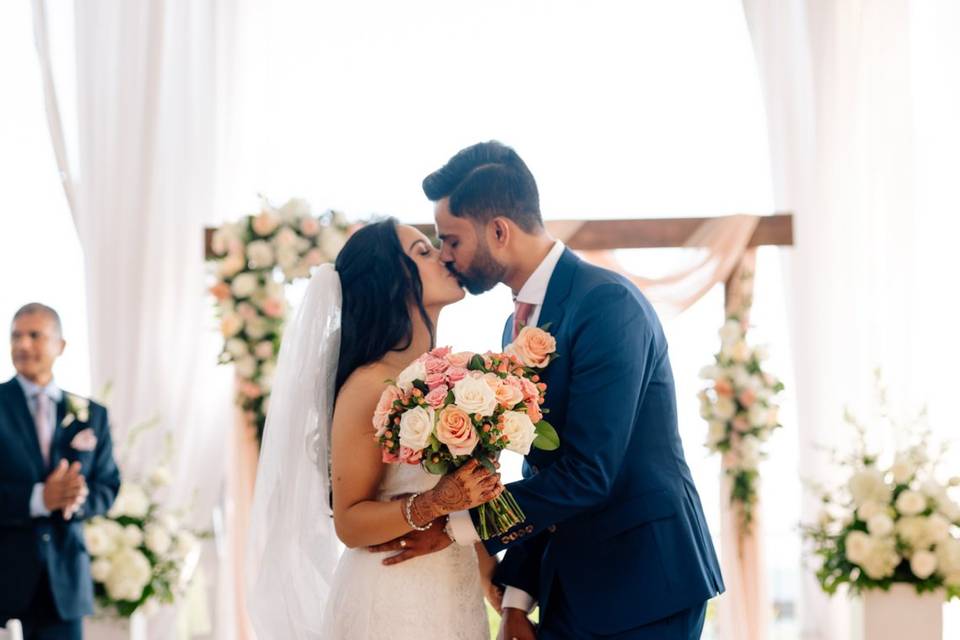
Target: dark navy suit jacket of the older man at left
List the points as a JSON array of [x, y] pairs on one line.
[[29, 546]]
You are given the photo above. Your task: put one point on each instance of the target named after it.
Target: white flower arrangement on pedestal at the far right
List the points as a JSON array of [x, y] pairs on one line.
[[893, 520]]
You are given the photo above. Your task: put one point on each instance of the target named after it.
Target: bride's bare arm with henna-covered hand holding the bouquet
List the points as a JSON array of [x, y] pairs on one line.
[[357, 471]]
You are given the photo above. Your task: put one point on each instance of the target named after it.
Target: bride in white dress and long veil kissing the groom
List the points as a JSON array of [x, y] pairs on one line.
[[361, 323]]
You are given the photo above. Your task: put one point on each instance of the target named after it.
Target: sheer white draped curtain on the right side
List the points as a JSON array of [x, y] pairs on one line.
[[864, 151]]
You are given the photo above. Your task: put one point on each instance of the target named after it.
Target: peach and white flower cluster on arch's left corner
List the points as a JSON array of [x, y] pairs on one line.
[[254, 258]]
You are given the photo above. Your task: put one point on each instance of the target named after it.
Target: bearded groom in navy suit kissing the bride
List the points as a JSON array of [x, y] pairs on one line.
[[615, 544]]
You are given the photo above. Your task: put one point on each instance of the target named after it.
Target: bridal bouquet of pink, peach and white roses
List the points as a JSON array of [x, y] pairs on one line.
[[446, 408]]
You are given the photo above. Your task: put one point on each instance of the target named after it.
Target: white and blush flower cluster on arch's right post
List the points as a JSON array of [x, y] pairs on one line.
[[739, 405]]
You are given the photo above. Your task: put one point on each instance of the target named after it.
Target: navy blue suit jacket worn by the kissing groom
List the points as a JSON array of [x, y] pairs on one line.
[[613, 514]]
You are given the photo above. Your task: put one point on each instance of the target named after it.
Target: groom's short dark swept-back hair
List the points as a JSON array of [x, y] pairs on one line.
[[486, 180]]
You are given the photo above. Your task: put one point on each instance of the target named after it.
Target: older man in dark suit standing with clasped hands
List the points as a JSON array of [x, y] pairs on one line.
[[56, 470]]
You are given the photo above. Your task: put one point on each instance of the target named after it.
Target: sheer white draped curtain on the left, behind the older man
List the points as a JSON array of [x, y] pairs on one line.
[[143, 166]]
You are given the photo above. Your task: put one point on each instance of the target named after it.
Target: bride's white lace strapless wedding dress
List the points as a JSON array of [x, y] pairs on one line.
[[438, 596]]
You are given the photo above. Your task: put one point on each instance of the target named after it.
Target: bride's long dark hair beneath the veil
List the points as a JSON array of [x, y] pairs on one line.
[[379, 281]]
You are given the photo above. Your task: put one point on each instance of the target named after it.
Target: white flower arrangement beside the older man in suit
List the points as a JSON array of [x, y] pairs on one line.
[[142, 554]]
